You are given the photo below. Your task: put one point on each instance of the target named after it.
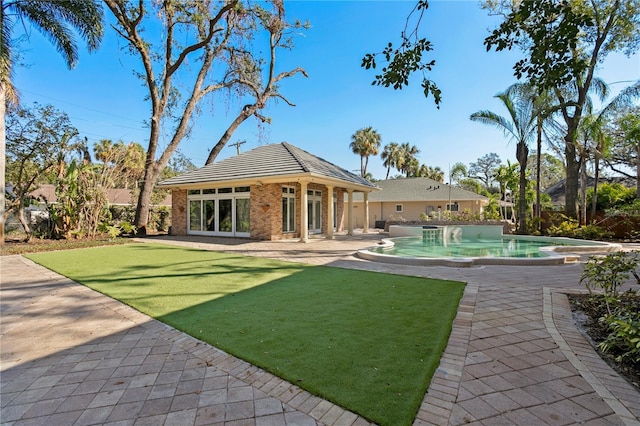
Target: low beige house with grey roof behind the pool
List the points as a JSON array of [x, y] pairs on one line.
[[407, 199]]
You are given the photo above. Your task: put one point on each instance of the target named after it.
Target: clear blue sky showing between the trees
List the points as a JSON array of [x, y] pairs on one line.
[[106, 101]]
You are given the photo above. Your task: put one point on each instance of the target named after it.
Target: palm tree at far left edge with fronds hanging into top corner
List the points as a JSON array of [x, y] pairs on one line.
[[58, 21]]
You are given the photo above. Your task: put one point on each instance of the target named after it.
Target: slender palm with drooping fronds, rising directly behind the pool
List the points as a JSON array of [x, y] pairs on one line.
[[520, 126]]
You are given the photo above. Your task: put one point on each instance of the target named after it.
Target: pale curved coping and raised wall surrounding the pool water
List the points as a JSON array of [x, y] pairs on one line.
[[556, 255]]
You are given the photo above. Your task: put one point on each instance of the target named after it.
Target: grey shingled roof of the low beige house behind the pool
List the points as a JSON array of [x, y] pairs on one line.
[[418, 189]]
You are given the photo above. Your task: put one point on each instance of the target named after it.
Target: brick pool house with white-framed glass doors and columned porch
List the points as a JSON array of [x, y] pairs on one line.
[[272, 192]]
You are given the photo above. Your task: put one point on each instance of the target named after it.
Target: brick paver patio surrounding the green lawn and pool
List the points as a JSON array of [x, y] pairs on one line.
[[70, 355]]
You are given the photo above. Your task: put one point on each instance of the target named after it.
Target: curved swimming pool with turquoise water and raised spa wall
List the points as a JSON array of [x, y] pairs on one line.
[[478, 245]]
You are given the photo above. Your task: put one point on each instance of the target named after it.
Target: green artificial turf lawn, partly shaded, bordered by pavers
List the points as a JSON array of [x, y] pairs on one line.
[[367, 341]]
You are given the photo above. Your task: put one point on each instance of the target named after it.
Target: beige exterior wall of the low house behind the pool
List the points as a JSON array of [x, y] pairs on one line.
[[410, 210]]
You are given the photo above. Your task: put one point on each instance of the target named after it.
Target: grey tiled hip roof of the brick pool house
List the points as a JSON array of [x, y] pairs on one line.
[[269, 161]]
